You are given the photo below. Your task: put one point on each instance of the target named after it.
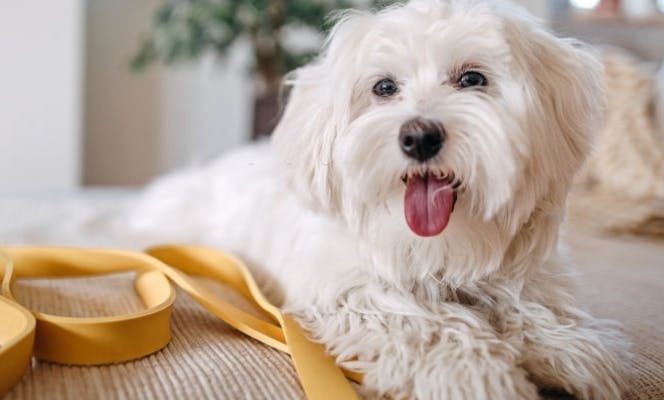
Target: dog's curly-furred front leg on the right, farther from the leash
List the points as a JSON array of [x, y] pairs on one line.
[[565, 348]]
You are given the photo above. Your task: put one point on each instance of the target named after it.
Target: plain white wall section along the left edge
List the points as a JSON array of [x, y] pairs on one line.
[[41, 75]]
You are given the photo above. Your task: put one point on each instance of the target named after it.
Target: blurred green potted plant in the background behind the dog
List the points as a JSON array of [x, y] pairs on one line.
[[185, 29]]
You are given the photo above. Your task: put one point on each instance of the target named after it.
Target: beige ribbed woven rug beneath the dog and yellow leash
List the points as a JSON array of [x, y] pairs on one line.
[[620, 278]]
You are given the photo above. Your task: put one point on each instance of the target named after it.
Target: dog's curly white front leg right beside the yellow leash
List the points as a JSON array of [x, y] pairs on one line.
[[407, 351]]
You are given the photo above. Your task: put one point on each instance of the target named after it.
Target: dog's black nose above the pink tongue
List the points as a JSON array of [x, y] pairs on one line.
[[421, 139]]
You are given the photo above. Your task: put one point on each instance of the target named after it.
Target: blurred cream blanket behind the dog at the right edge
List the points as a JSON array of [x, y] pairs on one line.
[[622, 187]]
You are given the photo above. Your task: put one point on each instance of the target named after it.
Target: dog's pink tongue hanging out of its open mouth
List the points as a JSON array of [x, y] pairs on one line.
[[428, 204]]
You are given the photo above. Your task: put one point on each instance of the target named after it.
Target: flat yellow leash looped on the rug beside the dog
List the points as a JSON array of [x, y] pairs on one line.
[[106, 340]]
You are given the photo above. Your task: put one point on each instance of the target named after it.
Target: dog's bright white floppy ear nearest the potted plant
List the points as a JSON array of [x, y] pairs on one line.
[[318, 109]]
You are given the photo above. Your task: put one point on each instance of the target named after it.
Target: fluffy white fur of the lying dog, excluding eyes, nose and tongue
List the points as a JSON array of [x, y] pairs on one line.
[[480, 311]]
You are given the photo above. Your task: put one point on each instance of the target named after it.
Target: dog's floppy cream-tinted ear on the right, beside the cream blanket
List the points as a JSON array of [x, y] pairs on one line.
[[563, 84]]
